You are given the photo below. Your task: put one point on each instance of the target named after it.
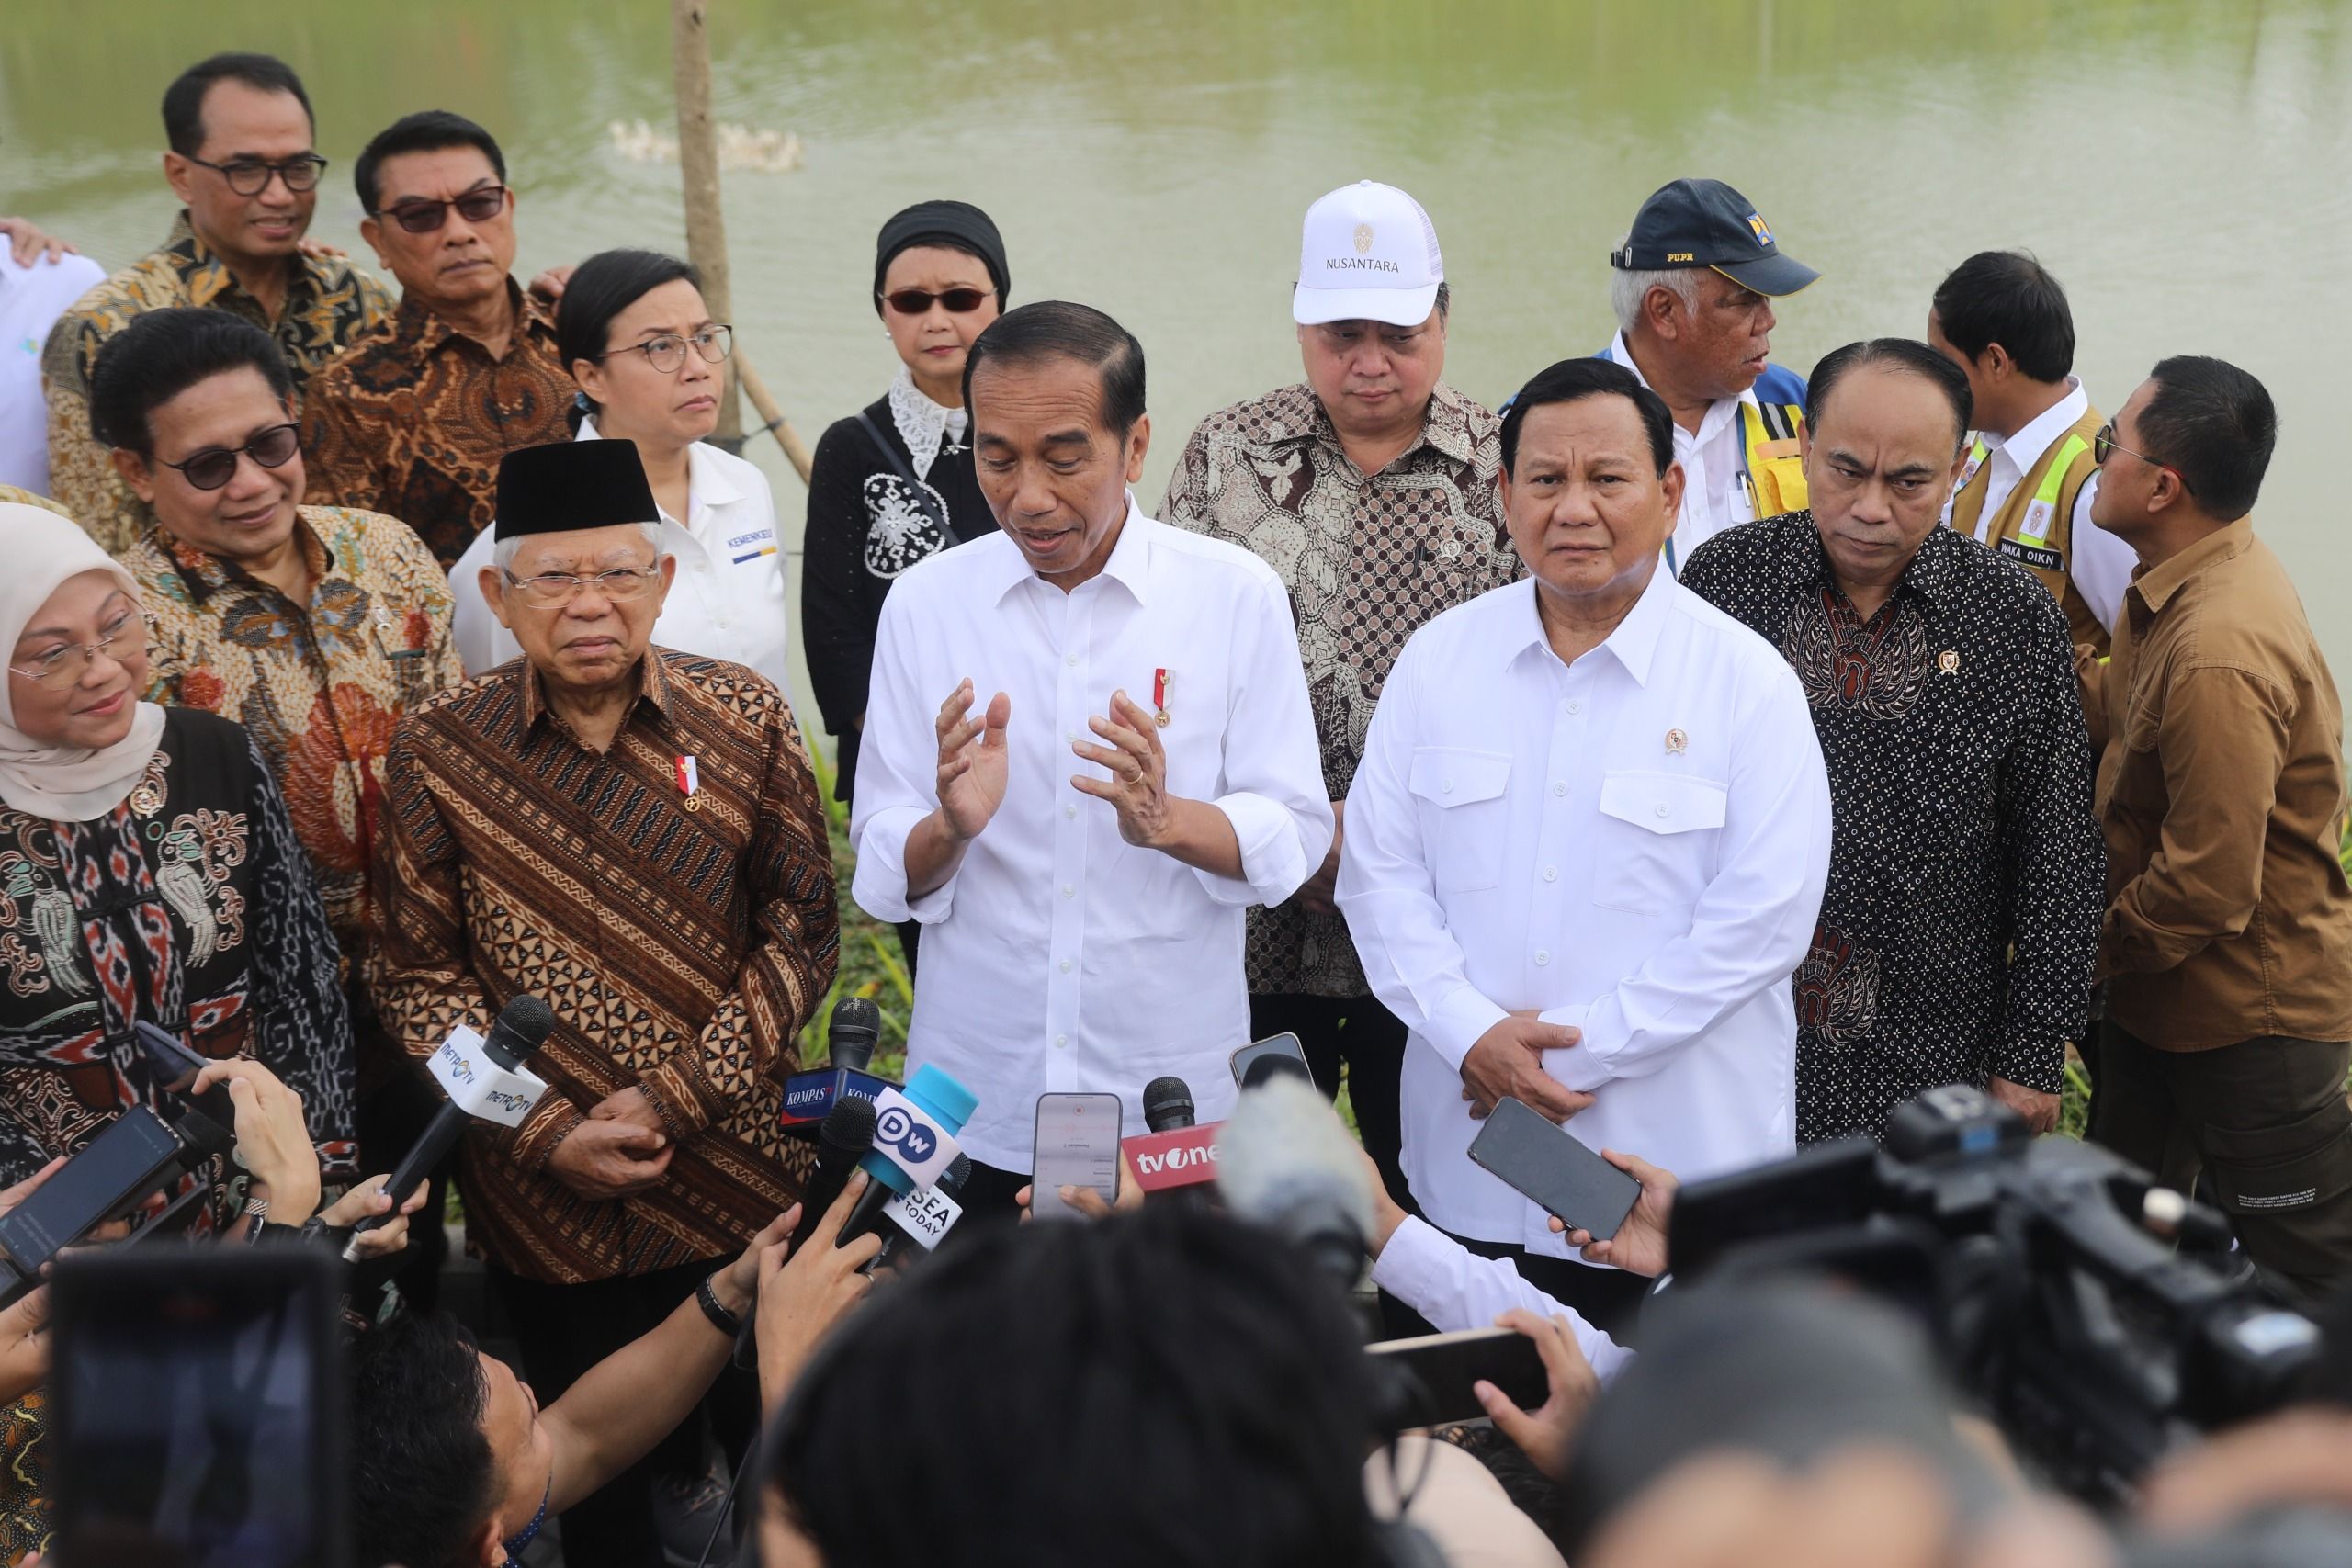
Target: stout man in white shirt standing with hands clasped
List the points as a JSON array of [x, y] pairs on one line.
[[1586, 845]]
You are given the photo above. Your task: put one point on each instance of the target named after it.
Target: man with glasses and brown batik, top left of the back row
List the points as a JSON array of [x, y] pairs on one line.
[[243, 166]]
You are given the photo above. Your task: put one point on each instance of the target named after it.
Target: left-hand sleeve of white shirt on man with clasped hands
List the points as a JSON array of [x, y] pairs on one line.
[[1412, 960]]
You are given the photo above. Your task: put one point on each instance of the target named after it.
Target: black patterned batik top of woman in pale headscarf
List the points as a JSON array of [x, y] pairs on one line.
[[187, 906]]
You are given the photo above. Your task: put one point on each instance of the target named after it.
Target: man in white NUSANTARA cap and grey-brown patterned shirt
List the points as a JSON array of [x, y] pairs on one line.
[[1372, 492]]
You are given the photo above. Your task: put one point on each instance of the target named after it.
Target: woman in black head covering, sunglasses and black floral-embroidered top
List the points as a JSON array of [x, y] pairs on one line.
[[895, 483]]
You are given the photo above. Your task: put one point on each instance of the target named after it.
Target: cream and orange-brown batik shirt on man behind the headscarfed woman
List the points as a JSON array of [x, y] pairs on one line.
[[319, 685]]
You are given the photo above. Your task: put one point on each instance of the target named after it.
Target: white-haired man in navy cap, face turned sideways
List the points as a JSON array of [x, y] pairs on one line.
[[1692, 293]]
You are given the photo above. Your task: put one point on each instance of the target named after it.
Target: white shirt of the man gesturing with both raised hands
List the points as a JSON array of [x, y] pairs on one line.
[[1062, 958]]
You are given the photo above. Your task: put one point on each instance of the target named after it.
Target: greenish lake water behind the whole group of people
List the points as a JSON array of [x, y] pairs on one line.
[[2184, 168]]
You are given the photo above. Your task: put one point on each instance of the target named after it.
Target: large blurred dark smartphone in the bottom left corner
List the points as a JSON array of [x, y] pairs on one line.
[[199, 1409]]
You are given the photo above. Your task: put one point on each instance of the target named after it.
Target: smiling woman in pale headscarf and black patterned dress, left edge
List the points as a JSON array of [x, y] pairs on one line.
[[147, 873]]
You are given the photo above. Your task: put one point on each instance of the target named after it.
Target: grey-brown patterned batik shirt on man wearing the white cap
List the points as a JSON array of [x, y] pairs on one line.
[[1365, 563]]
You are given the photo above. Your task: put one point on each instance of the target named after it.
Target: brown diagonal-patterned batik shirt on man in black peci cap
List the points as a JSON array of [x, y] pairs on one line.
[[683, 944]]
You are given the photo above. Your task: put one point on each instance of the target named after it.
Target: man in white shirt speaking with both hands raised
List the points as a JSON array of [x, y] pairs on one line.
[[1088, 753]]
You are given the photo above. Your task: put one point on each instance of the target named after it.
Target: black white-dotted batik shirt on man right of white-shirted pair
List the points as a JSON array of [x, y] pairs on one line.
[[1967, 873]]
